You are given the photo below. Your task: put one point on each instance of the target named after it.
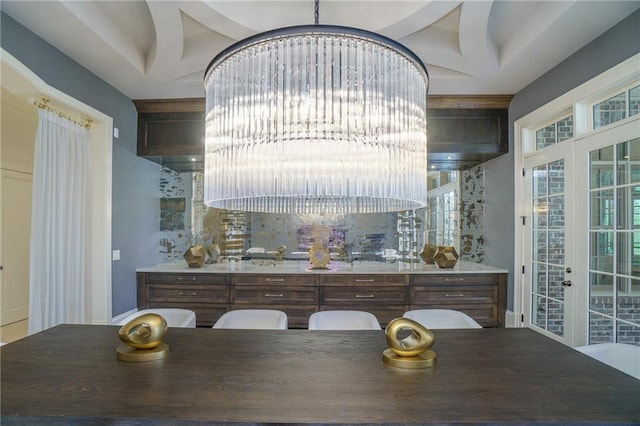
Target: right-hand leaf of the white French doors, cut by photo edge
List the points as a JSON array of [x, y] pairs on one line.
[[609, 166]]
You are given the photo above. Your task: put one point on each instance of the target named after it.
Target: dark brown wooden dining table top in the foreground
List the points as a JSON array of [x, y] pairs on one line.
[[70, 375]]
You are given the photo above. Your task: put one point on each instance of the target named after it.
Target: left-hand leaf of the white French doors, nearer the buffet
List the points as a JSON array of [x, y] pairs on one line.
[[549, 284]]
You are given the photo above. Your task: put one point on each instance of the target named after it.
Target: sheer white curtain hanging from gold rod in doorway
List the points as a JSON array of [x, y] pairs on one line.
[[59, 267]]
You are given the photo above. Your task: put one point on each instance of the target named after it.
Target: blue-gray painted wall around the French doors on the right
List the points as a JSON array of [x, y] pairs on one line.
[[613, 47]]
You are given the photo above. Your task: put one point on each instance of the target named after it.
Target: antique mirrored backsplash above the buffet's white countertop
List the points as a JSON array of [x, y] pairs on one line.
[[453, 216]]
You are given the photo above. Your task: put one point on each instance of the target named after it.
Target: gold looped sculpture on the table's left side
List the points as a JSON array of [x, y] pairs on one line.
[[142, 338]]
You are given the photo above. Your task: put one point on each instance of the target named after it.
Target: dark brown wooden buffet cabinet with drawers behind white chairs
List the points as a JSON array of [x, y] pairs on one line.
[[388, 296]]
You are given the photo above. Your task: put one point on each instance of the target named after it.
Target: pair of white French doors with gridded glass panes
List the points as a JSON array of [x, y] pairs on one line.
[[581, 245]]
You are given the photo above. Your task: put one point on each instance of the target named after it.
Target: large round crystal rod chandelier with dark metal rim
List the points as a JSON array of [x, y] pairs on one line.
[[316, 119]]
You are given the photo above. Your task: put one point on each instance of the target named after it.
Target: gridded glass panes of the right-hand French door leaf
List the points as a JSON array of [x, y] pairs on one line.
[[614, 243]]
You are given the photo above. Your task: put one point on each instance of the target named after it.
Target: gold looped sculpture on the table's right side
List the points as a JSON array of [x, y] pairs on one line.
[[412, 351]]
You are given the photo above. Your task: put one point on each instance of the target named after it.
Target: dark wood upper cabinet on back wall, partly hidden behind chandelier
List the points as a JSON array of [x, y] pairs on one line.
[[463, 131]]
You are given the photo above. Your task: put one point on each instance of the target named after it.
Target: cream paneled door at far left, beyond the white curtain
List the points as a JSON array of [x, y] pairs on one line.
[[15, 225]]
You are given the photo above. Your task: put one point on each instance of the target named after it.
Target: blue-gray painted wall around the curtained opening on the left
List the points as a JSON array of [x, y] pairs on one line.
[[135, 197]]
